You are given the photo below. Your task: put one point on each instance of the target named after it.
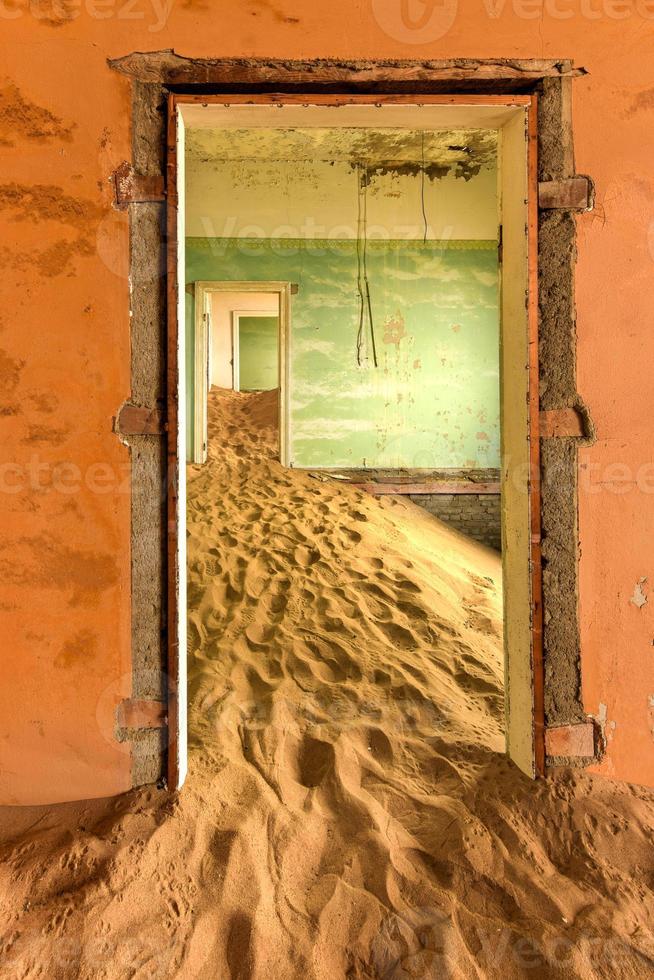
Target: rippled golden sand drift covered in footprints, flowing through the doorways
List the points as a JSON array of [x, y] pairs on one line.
[[348, 811]]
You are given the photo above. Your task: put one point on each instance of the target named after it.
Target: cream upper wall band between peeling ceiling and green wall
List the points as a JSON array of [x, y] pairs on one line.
[[271, 199]]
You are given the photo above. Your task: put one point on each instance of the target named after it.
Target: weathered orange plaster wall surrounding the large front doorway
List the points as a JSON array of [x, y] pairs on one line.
[[64, 126]]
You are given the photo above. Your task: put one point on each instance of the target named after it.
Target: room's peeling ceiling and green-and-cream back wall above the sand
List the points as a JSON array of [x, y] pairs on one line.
[[388, 239]]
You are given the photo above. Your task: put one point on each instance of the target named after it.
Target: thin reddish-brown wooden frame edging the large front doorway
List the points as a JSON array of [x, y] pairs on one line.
[[529, 104]]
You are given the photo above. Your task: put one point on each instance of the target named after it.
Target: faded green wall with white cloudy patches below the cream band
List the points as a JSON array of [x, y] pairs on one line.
[[433, 399]]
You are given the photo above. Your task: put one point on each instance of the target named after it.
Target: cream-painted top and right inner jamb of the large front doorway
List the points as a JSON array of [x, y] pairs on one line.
[[513, 120]]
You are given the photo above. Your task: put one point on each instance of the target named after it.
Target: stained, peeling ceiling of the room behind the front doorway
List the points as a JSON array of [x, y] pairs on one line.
[[461, 153]]
